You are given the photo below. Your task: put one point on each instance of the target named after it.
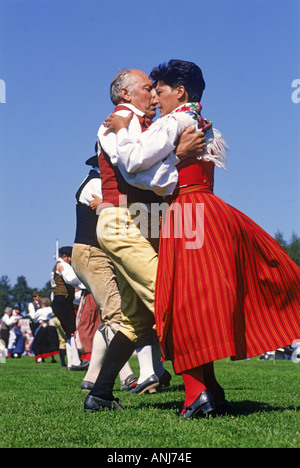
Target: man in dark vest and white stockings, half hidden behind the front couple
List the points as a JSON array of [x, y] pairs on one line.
[[96, 271]]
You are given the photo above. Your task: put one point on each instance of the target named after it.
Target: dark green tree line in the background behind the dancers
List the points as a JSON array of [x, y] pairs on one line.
[[19, 295]]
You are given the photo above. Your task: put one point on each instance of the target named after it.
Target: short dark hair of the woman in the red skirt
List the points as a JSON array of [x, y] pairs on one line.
[[181, 73]]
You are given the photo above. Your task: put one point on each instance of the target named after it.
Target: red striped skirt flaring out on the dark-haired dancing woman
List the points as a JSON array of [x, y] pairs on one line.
[[229, 291]]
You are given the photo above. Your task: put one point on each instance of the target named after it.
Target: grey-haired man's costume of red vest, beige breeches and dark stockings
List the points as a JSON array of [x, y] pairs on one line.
[[134, 254]]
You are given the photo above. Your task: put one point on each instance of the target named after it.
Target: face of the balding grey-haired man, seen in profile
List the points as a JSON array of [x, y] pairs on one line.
[[143, 94]]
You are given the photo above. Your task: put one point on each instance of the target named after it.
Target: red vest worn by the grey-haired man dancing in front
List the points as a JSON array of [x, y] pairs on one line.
[[115, 190]]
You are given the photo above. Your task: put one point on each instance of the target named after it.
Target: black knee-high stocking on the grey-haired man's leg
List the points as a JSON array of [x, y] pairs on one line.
[[118, 353]]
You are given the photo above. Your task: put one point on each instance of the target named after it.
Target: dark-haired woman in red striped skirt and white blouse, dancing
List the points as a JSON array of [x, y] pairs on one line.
[[236, 292]]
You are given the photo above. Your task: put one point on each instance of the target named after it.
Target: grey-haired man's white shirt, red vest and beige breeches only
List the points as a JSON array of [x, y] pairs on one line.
[[136, 277]]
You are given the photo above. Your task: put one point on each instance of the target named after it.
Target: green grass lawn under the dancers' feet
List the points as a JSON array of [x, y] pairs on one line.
[[42, 407]]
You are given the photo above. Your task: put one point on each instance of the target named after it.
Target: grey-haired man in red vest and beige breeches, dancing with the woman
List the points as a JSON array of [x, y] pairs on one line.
[[133, 253]]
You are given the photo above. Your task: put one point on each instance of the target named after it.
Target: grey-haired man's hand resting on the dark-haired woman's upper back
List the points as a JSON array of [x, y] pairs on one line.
[[191, 143]]
